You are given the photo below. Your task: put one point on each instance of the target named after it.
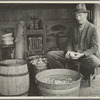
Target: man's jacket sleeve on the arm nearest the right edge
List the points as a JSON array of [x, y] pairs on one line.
[[93, 48]]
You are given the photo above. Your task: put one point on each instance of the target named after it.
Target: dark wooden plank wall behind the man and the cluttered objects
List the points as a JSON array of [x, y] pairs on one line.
[[50, 14]]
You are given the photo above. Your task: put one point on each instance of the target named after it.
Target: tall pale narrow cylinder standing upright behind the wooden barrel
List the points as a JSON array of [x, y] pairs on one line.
[[19, 41]]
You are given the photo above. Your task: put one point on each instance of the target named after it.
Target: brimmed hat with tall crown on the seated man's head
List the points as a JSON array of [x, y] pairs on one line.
[[81, 8]]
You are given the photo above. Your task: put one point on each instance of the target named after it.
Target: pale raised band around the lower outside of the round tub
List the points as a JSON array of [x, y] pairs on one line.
[[58, 91]]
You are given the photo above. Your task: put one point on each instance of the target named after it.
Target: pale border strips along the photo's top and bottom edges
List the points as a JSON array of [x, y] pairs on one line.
[[49, 97]]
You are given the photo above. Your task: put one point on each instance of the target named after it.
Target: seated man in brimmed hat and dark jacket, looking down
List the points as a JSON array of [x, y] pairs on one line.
[[83, 45]]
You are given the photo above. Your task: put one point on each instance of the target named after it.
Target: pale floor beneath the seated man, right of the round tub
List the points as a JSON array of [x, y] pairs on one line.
[[93, 91]]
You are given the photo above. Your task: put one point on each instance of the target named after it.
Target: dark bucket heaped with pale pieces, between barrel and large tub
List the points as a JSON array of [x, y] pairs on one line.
[[35, 66]]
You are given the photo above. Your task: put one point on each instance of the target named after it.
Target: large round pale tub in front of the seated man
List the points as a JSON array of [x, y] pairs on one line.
[[52, 82]]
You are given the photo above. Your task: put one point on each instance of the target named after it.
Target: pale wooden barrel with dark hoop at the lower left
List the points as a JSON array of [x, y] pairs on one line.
[[14, 78]]
